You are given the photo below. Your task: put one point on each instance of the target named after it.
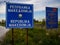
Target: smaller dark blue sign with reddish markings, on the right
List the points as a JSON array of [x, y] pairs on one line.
[[51, 17]]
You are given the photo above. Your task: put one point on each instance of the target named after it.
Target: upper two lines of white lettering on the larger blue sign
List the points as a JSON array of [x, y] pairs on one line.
[[15, 8]]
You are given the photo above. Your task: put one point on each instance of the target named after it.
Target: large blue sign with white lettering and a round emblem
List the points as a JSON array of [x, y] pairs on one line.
[[19, 15]]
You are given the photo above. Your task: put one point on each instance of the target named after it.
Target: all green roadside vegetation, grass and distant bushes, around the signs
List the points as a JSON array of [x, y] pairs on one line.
[[38, 35]]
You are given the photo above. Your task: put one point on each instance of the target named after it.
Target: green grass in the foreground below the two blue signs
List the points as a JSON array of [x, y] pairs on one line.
[[35, 37]]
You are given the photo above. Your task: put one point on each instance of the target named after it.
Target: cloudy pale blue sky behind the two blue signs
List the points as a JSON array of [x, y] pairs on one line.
[[39, 7]]
